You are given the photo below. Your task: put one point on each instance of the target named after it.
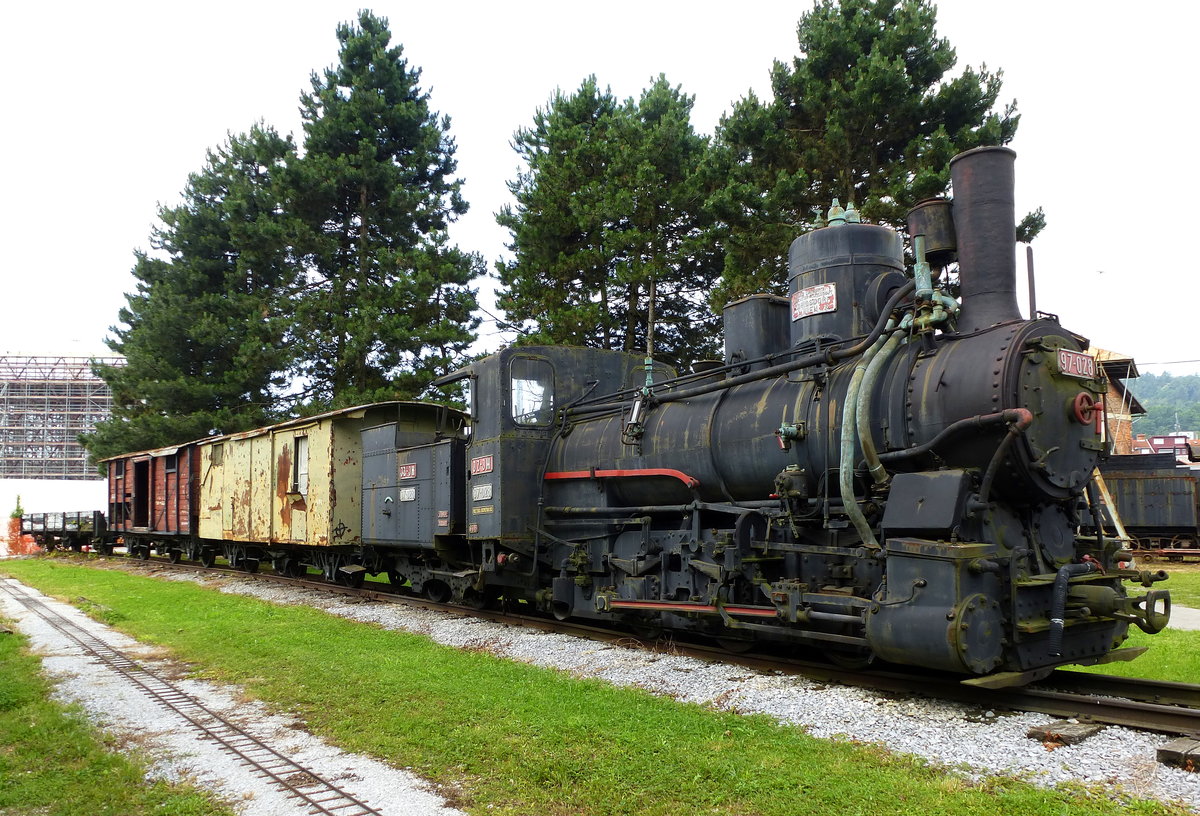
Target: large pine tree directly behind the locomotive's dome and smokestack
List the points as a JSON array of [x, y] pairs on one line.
[[865, 115]]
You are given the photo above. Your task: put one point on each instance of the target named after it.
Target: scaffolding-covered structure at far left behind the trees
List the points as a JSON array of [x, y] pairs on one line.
[[46, 403]]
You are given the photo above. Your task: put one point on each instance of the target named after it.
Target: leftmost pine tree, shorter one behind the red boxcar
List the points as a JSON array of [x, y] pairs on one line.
[[203, 333]]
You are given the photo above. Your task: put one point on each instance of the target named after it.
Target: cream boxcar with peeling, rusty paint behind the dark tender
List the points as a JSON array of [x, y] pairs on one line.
[[298, 483]]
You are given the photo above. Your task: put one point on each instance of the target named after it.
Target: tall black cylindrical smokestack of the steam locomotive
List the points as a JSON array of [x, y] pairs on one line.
[[986, 225]]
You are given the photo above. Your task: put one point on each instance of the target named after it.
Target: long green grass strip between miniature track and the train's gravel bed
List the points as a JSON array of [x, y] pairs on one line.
[[505, 739]]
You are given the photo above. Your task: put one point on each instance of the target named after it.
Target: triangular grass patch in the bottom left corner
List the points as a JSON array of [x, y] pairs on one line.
[[53, 764]]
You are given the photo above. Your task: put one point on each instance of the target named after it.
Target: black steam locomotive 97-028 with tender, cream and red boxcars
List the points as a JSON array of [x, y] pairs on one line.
[[877, 470]]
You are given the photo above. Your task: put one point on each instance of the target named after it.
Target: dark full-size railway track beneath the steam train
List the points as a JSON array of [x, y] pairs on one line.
[[1172, 709]]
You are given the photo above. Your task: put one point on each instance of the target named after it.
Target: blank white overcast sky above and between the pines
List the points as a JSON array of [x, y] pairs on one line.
[[112, 105]]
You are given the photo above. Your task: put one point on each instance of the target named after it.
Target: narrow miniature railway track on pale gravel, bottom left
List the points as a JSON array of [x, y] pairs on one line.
[[297, 782]]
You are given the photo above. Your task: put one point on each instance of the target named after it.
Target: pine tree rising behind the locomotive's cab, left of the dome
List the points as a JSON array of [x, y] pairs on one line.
[[609, 231]]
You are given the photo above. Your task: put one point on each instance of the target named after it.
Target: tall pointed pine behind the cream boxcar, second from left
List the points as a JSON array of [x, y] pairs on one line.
[[387, 304]]
